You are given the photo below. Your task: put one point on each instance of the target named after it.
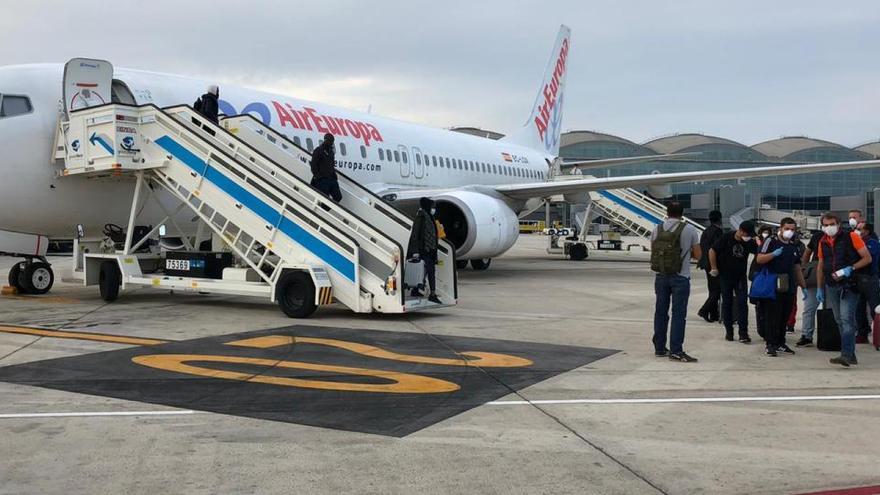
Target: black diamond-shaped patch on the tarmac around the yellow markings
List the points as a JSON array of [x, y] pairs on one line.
[[115, 374]]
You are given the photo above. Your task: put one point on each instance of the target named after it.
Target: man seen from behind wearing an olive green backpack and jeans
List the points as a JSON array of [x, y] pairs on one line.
[[673, 244]]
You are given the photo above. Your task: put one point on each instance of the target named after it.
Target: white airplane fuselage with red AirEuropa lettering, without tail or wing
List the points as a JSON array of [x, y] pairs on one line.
[[383, 154]]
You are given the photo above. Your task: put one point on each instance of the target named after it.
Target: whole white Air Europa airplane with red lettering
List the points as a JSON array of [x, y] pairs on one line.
[[480, 185]]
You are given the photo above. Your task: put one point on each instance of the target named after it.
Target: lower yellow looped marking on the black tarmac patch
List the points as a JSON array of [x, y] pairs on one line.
[[402, 383]]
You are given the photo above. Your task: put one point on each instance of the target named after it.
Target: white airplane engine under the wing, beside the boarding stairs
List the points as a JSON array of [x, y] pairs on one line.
[[479, 226]]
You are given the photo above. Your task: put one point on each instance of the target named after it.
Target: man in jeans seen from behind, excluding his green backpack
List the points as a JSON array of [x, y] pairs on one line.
[[674, 289]]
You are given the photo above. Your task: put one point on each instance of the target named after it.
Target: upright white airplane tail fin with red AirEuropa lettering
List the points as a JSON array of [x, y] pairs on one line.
[[541, 131]]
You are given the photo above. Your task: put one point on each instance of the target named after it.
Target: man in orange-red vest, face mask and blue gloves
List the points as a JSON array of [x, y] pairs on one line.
[[841, 254]]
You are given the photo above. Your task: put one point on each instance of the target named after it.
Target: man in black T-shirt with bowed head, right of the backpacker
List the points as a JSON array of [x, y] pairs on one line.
[[728, 260]]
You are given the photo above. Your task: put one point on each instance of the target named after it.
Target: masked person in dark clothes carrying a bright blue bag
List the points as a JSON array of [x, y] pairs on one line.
[[780, 256]]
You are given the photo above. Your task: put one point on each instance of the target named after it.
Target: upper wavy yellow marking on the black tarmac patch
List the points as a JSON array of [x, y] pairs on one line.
[[482, 359]]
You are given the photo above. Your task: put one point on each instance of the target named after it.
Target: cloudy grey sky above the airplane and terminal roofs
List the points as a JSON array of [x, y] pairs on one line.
[[746, 70]]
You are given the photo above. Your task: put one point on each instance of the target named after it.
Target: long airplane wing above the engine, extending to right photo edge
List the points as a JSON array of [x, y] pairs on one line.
[[544, 189]]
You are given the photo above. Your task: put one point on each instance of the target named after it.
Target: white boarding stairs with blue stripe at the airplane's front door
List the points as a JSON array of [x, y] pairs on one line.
[[256, 197]]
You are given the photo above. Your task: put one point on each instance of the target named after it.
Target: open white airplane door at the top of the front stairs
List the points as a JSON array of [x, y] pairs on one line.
[[87, 83]]
